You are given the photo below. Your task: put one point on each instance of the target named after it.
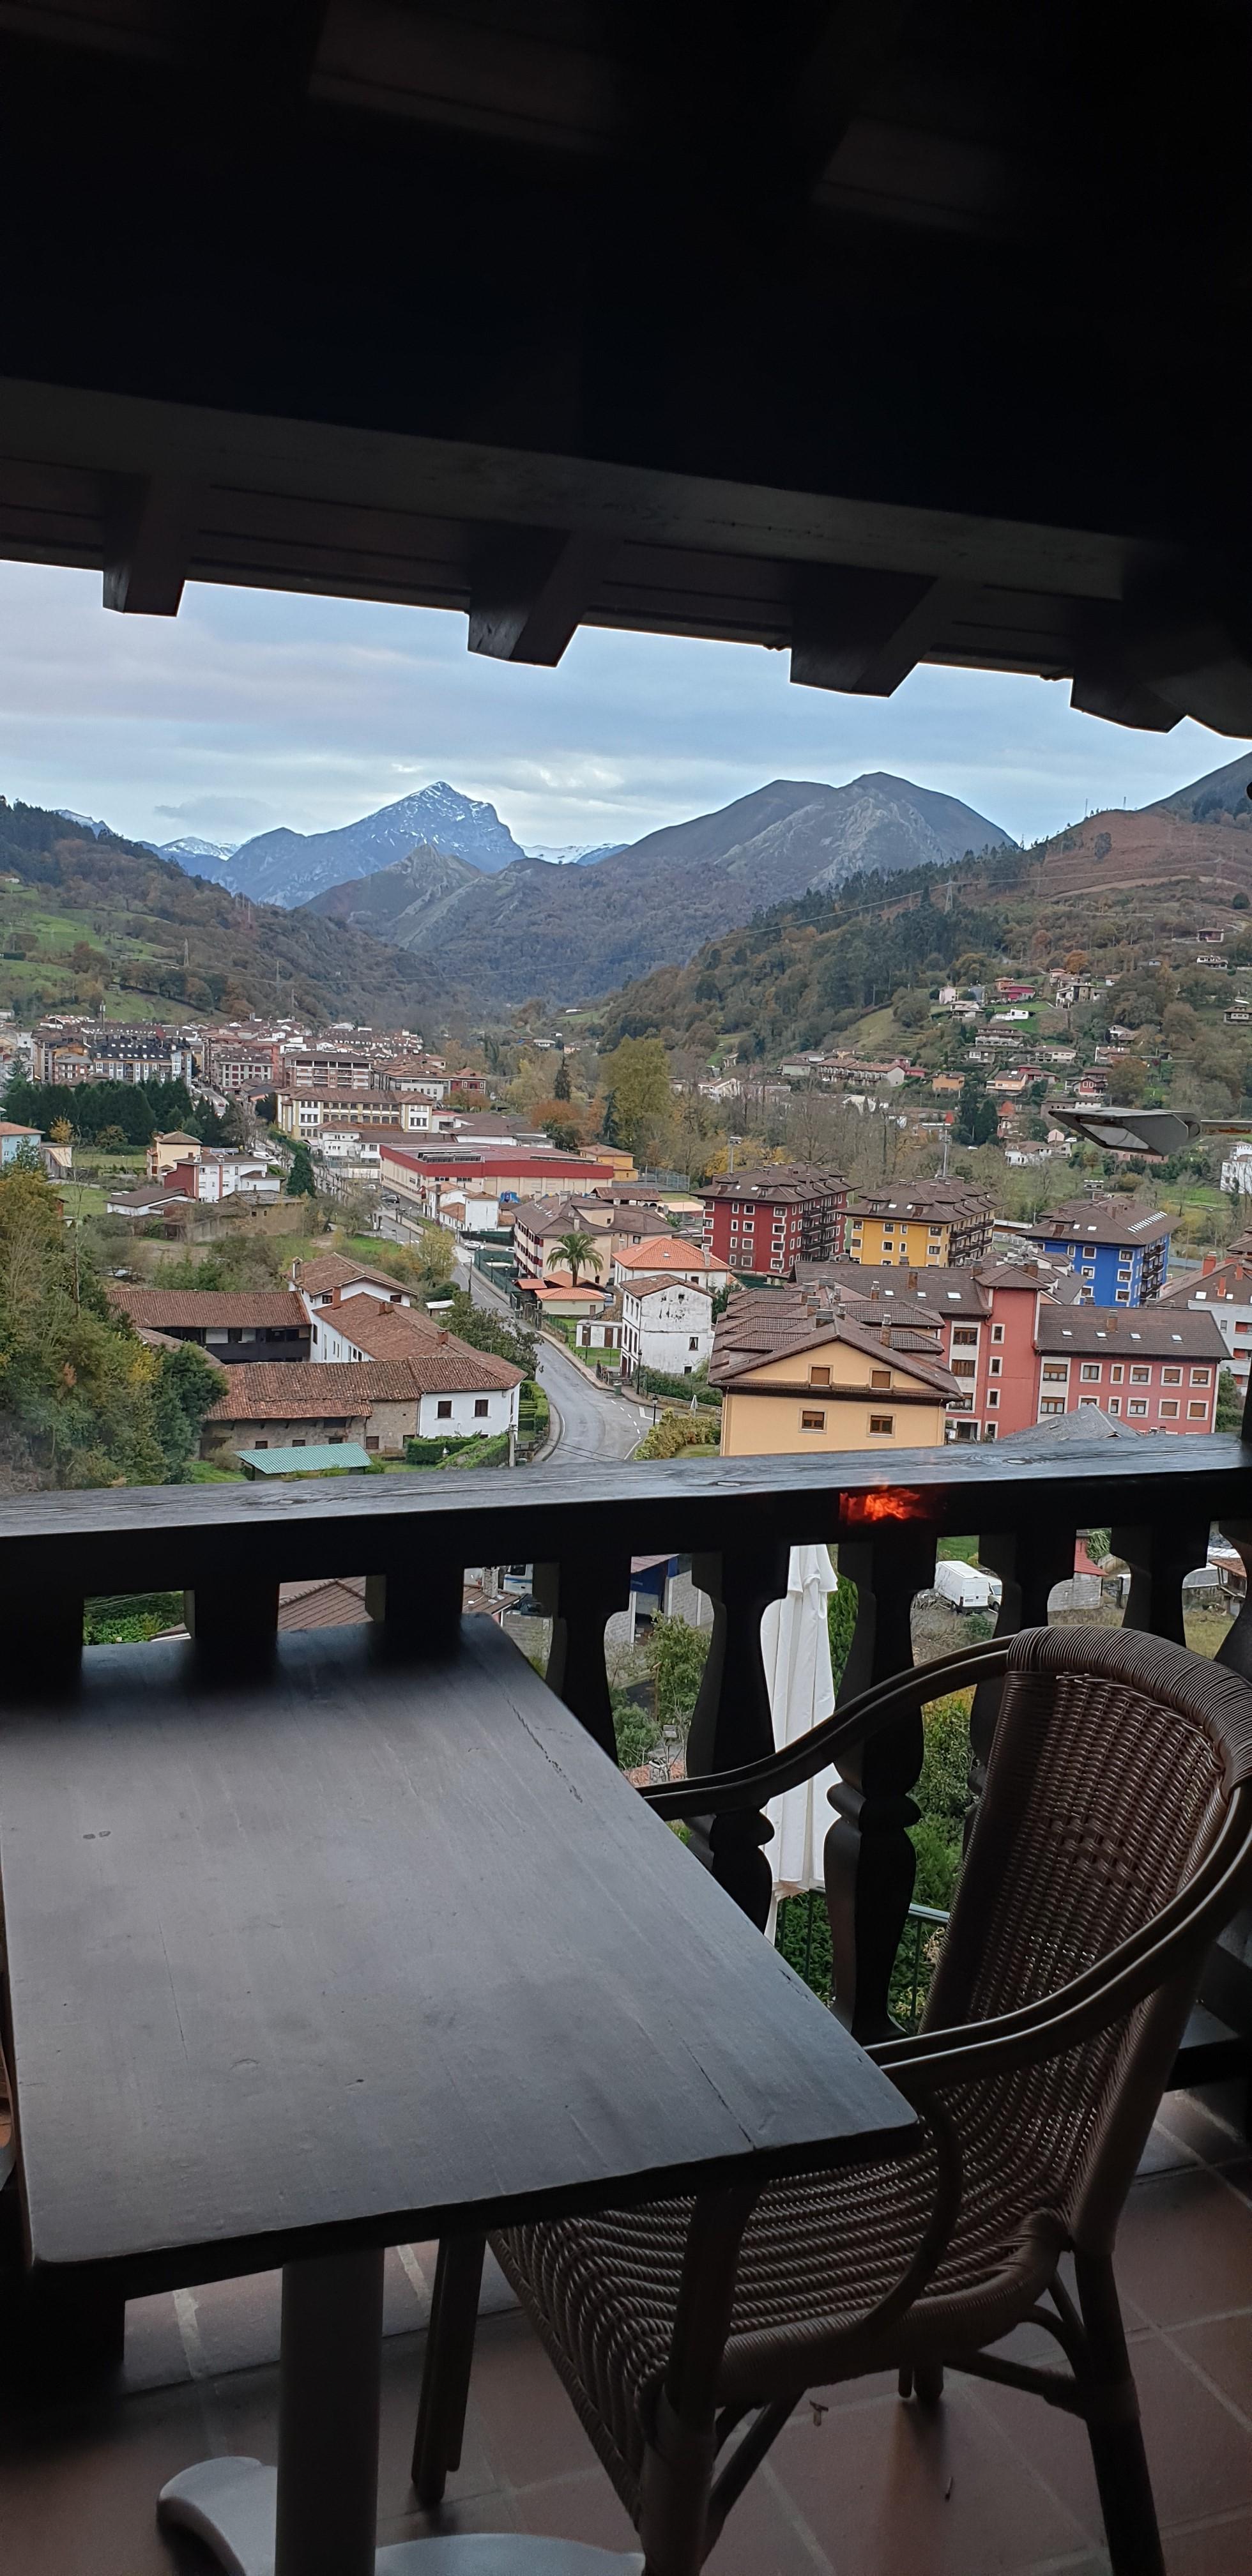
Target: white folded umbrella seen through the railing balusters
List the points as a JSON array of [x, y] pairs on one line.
[[795, 1642]]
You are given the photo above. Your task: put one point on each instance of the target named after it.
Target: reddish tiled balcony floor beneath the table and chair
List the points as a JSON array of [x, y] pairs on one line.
[[996, 2485]]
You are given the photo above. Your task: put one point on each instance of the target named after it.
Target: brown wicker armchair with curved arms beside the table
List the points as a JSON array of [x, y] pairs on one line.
[[1112, 1846]]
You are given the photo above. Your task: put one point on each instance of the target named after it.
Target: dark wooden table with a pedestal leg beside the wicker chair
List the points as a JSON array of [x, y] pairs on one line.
[[362, 1954]]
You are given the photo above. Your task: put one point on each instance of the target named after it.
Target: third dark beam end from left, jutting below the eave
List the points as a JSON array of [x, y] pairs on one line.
[[867, 630]]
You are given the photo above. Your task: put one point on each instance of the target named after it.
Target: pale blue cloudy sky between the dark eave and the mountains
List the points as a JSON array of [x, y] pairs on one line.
[[259, 710]]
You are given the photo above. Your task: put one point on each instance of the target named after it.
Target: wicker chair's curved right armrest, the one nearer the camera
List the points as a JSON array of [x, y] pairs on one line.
[[1101, 1995]]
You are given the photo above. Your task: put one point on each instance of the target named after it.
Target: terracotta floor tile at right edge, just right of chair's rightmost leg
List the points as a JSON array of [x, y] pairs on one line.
[[1186, 2248]]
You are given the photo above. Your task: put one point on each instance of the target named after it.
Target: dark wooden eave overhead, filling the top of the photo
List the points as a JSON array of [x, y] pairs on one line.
[[867, 334]]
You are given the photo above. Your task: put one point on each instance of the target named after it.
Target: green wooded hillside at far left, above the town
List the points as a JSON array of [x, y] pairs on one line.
[[104, 921]]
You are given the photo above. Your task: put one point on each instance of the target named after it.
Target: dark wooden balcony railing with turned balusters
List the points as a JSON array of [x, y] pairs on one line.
[[411, 1537]]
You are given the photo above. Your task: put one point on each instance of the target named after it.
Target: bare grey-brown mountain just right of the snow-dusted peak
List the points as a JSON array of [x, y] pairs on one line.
[[581, 934]]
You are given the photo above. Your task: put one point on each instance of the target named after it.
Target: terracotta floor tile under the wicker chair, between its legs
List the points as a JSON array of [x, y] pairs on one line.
[[898, 2492]]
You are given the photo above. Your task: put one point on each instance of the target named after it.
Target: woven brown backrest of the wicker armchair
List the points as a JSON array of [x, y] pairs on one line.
[[1109, 1779]]
